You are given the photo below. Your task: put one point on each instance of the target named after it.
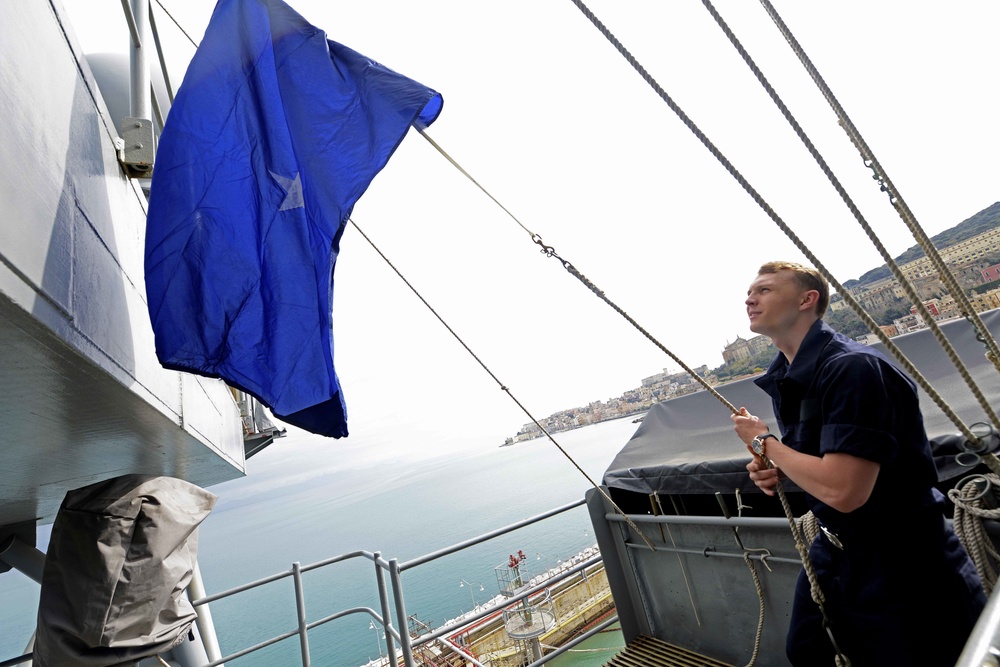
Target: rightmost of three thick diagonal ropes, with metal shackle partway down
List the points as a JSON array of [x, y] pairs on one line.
[[895, 198]]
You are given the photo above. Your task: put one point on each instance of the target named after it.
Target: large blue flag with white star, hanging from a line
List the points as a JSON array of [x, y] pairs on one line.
[[274, 135]]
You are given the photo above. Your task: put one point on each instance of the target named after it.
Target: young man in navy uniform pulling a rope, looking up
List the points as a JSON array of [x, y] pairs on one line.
[[899, 587]]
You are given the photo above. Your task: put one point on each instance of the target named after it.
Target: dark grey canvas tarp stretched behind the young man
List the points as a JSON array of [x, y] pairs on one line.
[[687, 445]]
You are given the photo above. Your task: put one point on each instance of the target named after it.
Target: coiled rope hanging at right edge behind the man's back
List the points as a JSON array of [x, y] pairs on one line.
[[972, 497]]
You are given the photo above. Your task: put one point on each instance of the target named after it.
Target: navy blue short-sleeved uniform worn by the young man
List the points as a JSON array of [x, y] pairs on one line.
[[902, 591]]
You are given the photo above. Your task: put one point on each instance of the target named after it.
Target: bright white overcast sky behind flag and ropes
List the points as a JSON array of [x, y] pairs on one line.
[[543, 112]]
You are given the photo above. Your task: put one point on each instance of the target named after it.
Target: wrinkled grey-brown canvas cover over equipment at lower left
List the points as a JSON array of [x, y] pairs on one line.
[[121, 553]]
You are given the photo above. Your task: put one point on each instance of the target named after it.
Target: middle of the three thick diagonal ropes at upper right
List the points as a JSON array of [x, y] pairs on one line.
[[890, 262]]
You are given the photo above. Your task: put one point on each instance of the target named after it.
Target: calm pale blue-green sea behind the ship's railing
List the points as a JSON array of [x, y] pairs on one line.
[[306, 501]]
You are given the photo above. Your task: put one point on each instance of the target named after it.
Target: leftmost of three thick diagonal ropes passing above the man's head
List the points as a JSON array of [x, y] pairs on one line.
[[756, 196]]
